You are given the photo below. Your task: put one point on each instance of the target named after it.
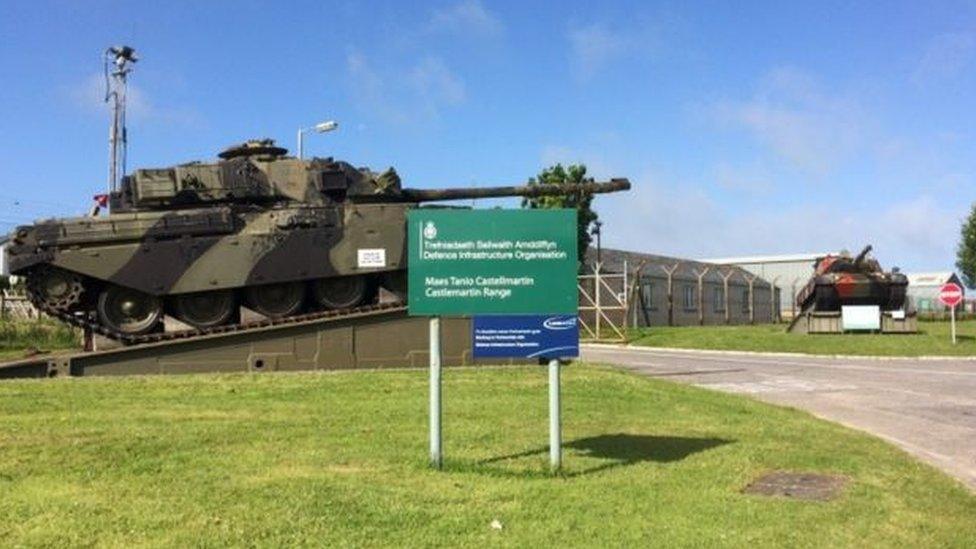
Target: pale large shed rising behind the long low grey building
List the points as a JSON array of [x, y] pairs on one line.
[[788, 272]]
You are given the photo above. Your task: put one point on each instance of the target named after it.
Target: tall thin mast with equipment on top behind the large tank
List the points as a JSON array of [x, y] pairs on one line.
[[120, 57]]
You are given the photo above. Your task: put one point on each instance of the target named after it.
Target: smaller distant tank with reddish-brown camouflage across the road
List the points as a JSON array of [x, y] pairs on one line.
[[844, 280]]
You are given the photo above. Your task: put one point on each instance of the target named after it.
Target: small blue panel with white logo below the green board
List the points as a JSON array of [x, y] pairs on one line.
[[525, 336]]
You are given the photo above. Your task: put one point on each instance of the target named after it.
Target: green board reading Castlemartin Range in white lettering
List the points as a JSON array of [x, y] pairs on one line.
[[465, 262]]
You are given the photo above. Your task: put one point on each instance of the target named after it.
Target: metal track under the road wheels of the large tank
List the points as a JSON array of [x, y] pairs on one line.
[[88, 322]]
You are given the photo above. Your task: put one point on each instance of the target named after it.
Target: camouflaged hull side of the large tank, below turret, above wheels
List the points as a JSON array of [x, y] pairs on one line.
[[179, 252]]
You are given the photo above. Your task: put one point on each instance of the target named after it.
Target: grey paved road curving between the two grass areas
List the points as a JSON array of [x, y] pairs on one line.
[[926, 407]]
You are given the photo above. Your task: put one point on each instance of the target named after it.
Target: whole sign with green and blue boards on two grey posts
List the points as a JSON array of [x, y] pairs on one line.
[[516, 269]]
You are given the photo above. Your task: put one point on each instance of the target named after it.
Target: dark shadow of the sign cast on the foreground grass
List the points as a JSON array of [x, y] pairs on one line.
[[616, 450]]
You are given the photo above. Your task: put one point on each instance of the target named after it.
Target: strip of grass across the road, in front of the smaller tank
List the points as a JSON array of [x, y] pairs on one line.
[[933, 339]]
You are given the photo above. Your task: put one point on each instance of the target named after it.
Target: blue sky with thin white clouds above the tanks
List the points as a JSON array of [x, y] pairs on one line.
[[747, 128]]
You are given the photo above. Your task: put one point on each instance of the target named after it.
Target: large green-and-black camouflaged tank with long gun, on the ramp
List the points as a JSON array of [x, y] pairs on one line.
[[258, 228]]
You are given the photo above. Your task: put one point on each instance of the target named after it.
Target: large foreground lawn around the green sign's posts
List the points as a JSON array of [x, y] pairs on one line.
[[339, 459]]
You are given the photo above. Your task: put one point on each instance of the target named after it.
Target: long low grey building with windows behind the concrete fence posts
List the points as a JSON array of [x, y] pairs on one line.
[[669, 291]]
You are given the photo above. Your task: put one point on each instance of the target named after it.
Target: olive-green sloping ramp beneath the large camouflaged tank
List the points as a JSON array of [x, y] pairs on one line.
[[368, 337]]
